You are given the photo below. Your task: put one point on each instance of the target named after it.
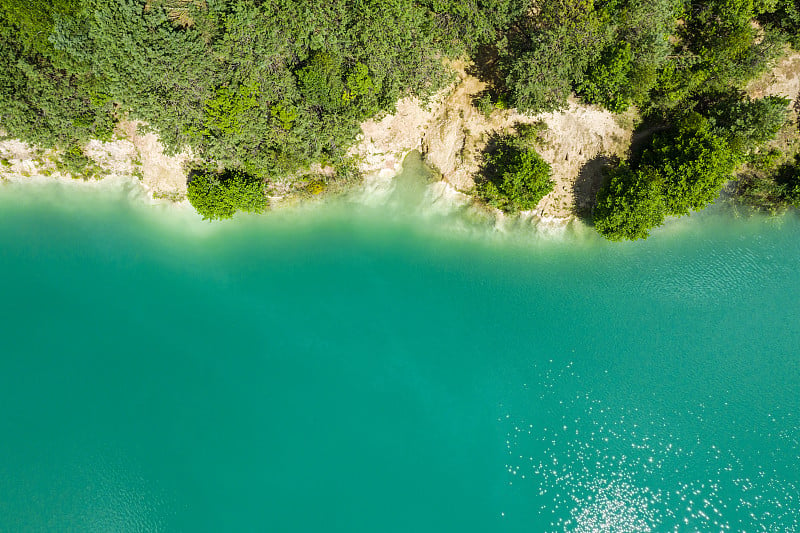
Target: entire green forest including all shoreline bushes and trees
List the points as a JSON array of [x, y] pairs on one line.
[[262, 89]]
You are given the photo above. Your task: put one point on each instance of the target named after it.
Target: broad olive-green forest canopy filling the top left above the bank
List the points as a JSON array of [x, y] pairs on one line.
[[266, 87]]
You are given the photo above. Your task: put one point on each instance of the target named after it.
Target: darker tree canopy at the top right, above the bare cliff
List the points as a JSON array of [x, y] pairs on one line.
[[657, 54]]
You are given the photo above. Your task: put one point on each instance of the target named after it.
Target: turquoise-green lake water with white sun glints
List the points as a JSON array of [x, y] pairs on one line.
[[351, 368]]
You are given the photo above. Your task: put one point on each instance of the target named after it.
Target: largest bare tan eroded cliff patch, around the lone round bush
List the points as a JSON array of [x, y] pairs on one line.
[[452, 132]]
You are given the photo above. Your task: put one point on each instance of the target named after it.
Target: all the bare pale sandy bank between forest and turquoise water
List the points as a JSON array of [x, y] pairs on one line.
[[448, 131]]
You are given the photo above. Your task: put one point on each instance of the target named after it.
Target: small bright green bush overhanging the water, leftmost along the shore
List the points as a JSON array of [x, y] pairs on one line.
[[218, 197]]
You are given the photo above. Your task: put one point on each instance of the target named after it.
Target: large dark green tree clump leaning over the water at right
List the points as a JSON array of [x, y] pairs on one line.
[[687, 166]]
